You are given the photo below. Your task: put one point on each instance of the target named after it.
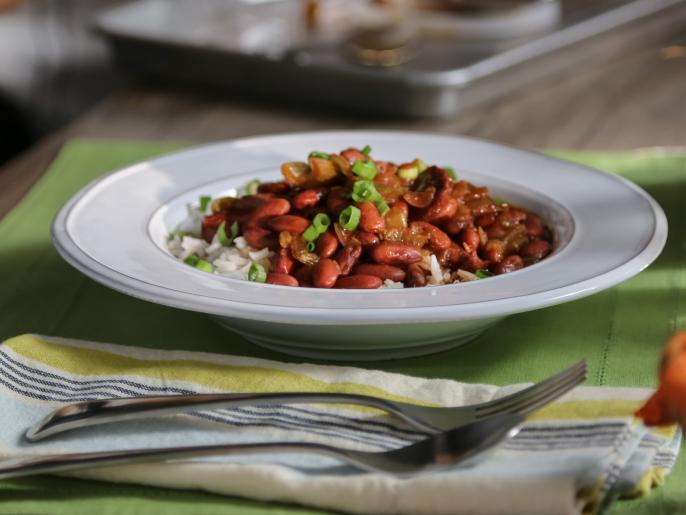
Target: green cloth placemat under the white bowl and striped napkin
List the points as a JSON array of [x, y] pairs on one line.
[[620, 331]]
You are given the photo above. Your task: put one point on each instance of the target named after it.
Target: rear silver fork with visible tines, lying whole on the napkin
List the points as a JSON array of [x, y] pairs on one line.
[[429, 419]]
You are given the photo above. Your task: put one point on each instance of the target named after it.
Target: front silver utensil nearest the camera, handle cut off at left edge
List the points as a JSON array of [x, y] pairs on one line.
[[463, 445]]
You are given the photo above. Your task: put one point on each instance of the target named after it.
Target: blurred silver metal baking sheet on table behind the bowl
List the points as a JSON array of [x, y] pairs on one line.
[[182, 40]]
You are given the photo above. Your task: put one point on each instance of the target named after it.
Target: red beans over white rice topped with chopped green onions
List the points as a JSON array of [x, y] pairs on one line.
[[349, 221]]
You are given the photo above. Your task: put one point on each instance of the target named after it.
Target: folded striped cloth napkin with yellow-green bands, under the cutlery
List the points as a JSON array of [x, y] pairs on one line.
[[571, 457]]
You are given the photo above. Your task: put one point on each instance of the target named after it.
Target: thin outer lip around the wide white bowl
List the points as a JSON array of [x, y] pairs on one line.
[[496, 307]]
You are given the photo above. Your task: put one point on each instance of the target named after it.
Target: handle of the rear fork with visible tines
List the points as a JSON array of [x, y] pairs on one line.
[[93, 413]]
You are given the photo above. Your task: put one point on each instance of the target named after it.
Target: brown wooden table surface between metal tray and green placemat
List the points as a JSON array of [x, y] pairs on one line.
[[636, 98]]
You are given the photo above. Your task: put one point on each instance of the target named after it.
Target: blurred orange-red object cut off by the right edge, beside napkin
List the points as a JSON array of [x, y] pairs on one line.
[[668, 404]]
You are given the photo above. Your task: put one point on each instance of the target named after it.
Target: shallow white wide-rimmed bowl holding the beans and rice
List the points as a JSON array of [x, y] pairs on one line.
[[114, 230]]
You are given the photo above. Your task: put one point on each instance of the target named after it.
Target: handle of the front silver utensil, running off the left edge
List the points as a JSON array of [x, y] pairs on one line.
[[63, 462]]
